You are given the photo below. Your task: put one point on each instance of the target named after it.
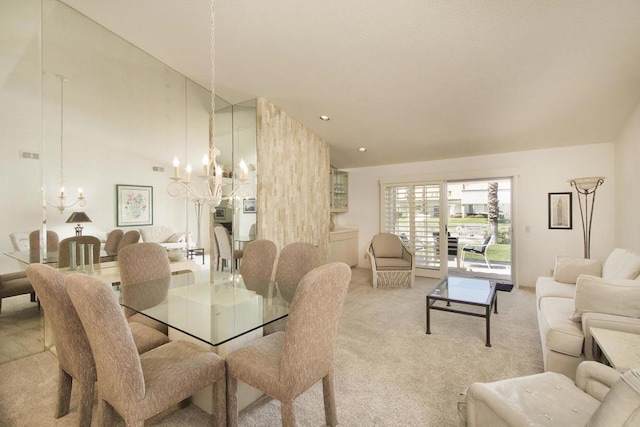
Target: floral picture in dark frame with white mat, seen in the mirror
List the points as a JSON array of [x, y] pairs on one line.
[[134, 205]]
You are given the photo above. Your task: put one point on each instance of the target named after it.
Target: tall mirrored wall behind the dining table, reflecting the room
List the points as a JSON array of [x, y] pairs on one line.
[[80, 103]]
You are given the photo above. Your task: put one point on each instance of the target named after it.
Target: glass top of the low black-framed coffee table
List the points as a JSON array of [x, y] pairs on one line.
[[464, 289]]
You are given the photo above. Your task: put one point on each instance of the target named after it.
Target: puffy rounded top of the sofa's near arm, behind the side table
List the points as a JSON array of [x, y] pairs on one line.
[[619, 297]]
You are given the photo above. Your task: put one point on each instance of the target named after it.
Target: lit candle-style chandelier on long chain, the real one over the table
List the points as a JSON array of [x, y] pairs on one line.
[[211, 192]]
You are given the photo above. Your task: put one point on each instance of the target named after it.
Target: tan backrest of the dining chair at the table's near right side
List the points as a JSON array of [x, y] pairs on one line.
[[312, 325]]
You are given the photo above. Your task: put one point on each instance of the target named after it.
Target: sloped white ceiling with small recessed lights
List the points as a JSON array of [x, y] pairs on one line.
[[411, 80]]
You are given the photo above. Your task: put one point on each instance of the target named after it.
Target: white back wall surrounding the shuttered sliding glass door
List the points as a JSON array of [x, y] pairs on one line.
[[539, 172]]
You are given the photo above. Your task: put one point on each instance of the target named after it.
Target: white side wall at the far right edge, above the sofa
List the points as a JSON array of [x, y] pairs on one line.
[[627, 161]]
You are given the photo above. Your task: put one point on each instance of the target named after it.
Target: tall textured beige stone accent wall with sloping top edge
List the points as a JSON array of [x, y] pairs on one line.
[[293, 181]]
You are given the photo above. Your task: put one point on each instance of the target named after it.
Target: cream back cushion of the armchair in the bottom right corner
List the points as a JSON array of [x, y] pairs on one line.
[[621, 406]]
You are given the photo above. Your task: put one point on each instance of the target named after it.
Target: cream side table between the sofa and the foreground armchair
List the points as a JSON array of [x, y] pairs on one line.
[[620, 349]]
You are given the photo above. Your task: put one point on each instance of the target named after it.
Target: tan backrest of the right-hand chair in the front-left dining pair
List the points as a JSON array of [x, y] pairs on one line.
[[114, 350]]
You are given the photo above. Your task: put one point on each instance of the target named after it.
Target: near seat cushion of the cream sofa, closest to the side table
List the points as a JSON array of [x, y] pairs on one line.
[[556, 329]]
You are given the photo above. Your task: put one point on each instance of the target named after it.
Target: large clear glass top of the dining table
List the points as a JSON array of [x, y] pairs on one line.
[[213, 312]]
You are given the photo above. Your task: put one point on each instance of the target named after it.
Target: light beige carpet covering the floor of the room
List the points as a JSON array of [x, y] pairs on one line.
[[388, 371]]
